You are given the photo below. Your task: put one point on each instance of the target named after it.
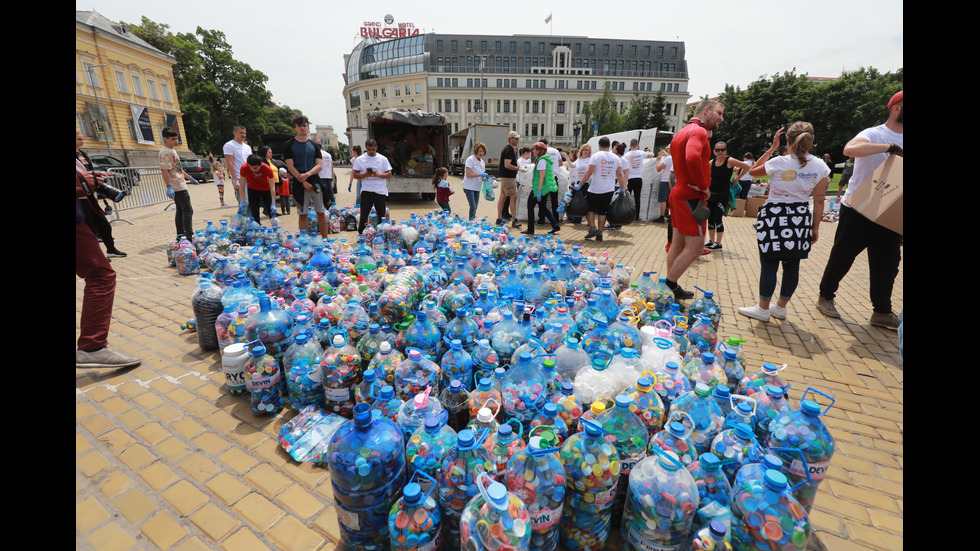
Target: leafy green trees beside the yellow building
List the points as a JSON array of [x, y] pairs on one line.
[[216, 91]]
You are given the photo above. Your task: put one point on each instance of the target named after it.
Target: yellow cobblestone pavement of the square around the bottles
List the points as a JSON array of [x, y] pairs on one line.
[[165, 459]]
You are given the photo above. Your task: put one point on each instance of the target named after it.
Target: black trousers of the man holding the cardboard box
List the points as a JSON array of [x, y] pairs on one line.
[[855, 233]]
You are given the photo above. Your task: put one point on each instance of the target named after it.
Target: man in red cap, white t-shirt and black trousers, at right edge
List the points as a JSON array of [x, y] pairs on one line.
[[855, 233]]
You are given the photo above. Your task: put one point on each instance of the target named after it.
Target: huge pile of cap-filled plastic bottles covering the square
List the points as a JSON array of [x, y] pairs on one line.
[[500, 392]]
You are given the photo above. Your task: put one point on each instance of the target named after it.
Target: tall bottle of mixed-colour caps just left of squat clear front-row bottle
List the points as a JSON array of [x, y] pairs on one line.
[[591, 476]]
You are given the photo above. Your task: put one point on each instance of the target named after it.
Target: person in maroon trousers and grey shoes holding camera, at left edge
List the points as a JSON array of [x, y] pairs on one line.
[[91, 264]]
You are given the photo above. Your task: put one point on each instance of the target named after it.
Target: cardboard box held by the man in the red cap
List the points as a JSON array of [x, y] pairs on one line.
[[880, 197]]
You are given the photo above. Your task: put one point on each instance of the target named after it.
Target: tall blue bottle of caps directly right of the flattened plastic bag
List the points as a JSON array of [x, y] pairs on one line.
[[366, 485]]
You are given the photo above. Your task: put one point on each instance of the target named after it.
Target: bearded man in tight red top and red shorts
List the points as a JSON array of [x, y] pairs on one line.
[[691, 151]]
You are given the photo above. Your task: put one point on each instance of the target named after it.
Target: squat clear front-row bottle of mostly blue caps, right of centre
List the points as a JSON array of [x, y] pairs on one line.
[[663, 499]]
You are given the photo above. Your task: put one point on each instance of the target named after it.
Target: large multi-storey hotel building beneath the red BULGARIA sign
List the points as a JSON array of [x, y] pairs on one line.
[[536, 84]]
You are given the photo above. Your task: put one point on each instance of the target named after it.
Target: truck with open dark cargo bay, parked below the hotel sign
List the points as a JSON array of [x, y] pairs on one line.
[[415, 143]]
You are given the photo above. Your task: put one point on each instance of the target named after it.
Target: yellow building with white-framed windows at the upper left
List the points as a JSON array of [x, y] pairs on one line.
[[124, 92]]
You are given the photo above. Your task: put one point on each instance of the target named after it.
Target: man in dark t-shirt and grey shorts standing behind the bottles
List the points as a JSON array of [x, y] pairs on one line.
[[304, 161]]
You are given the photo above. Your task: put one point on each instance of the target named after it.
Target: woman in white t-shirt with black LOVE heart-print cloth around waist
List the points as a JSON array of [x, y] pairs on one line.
[[786, 228]]
